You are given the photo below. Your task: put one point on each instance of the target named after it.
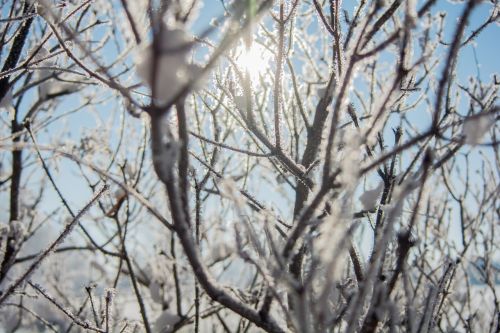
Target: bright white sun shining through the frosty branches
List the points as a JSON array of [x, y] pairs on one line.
[[253, 60]]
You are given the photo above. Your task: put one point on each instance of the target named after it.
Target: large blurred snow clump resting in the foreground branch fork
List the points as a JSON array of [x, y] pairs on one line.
[[173, 72]]
